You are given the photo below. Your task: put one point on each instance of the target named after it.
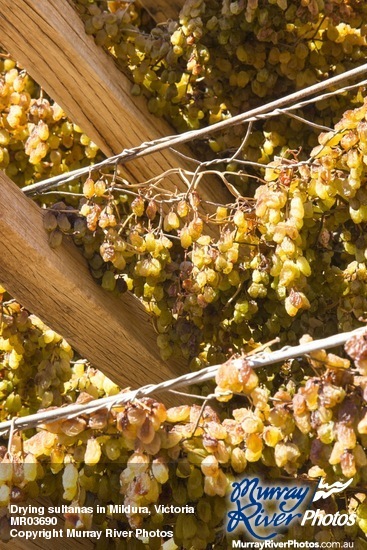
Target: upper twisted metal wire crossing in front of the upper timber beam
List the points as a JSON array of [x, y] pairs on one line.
[[269, 109]]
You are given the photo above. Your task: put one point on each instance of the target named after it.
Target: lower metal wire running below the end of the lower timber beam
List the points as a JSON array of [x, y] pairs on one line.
[[261, 359]]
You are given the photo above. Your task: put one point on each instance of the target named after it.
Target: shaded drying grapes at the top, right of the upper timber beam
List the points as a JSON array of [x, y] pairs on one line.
[[221, 58]]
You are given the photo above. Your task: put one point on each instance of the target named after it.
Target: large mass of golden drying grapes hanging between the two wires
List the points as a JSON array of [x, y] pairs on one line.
[[288, 261]]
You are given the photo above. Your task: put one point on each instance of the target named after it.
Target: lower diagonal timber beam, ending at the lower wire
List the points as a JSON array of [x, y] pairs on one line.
[[114, 334]]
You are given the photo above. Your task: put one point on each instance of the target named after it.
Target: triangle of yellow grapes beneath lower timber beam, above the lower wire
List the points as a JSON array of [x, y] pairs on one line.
[[37, 366]]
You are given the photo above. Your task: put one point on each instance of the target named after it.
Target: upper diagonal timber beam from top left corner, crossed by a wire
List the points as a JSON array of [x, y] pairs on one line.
[[47, 37]]
